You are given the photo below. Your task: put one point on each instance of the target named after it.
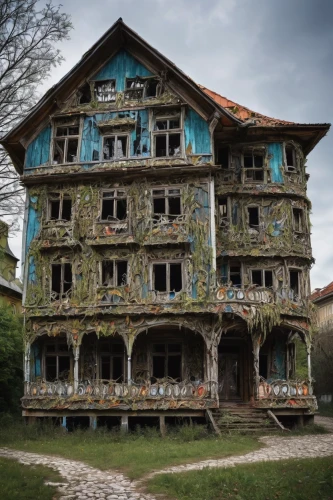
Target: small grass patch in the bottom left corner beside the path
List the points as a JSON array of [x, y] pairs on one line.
[[23, 482]]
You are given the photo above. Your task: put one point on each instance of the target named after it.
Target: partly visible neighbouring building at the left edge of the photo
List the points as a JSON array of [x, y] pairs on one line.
[[10, 288]]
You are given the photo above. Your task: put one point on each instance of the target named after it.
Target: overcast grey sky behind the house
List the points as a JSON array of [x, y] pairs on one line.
[[273, 56]]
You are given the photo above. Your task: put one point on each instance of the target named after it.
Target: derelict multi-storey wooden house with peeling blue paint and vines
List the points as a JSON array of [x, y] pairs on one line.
[[166, 246]]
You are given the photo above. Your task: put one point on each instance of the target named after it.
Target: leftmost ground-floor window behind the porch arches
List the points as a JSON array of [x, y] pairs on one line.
[[57, 361]]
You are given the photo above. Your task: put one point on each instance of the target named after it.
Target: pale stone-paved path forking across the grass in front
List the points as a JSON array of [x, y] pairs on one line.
[[82, 482]]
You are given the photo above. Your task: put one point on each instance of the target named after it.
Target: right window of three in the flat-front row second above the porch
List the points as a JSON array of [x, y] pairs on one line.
[[166, 202]]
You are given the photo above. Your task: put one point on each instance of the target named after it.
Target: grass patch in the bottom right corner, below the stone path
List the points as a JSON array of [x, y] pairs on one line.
[[291, 479]]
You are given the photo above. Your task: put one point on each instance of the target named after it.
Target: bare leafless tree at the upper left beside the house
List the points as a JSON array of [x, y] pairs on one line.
[[27, 53]]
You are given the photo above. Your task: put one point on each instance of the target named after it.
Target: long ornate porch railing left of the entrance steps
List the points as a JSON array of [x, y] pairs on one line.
[[110, 389]]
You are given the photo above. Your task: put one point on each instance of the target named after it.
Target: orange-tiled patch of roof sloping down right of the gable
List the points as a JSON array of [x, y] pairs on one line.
[[243, 113]]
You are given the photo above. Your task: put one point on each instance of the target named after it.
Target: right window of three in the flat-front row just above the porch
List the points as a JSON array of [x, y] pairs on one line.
[[167, 277]]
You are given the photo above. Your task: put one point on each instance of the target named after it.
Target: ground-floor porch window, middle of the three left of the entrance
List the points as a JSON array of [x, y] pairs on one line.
[[111, 360]]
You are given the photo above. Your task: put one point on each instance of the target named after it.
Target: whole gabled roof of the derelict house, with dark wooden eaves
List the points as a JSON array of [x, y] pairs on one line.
[[207, 103]]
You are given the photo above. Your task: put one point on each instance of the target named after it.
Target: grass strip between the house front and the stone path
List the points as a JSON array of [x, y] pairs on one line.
[[136, 453]]
